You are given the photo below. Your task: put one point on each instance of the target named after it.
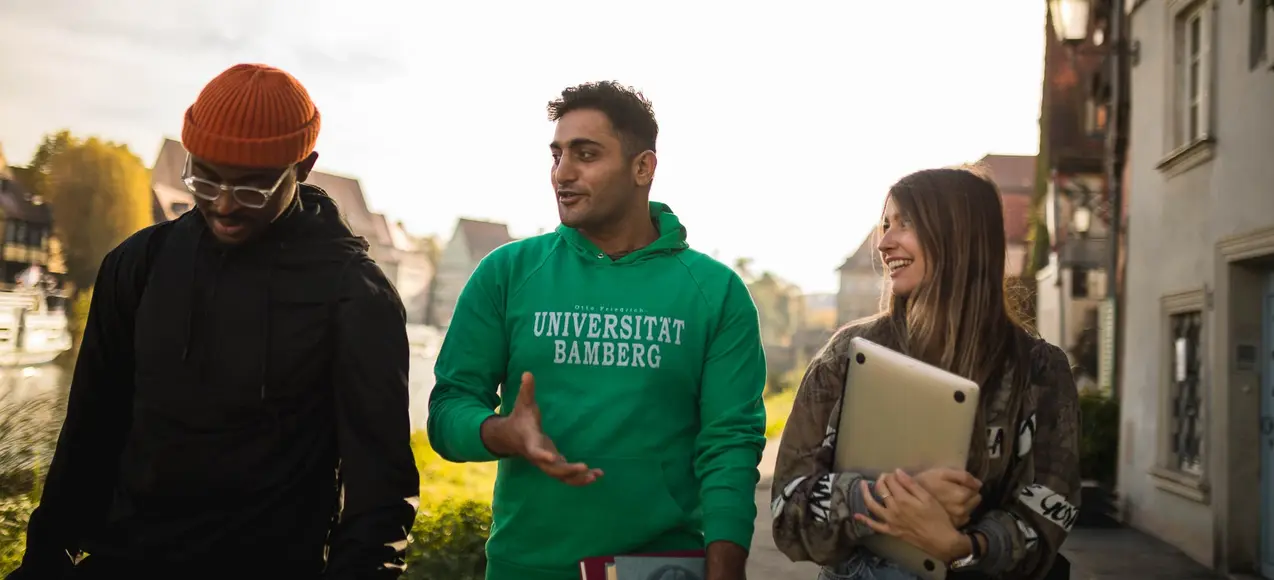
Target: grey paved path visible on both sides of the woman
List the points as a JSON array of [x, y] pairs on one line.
[[1119, 554]]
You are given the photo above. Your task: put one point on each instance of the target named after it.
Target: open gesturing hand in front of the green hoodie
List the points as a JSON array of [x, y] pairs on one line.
[[520, 434]]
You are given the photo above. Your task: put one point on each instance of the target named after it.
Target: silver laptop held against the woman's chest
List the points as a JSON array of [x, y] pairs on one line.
[[899, 412]]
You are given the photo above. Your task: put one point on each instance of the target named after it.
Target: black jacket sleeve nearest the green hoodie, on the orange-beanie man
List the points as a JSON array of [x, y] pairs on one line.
[[379, 475]]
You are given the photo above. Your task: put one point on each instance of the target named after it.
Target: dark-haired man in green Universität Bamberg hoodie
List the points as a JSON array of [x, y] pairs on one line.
[[627, 369]]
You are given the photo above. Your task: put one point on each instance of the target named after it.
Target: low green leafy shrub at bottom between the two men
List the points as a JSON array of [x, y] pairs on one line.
[[449, 541]]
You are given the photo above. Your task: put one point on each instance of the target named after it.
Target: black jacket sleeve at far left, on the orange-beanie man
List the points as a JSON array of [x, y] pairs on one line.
[[85, 470]]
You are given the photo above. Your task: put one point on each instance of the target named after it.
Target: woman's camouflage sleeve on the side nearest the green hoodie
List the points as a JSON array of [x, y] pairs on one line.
[[813, 508]]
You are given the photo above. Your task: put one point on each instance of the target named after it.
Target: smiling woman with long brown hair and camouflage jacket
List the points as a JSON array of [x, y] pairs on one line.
[[1012, 507]]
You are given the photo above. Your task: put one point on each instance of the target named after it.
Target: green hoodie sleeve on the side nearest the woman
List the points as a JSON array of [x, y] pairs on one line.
[[733, 419]]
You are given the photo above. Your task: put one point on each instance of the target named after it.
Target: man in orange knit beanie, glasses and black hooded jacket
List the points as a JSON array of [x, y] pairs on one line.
[[240, 403]]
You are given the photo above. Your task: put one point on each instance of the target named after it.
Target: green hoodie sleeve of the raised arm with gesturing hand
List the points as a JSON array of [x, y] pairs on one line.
[[471, 366]]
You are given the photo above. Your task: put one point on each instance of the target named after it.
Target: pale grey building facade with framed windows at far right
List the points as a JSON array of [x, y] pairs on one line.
[[1197, 460]]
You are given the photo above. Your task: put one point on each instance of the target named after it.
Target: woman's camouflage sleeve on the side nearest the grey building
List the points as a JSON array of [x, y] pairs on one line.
[[1025, 536]]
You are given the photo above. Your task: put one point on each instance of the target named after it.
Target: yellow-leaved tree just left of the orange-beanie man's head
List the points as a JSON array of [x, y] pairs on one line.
[[100, 194]]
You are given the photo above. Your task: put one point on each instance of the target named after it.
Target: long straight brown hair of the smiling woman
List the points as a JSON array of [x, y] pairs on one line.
[[960, 318]]
